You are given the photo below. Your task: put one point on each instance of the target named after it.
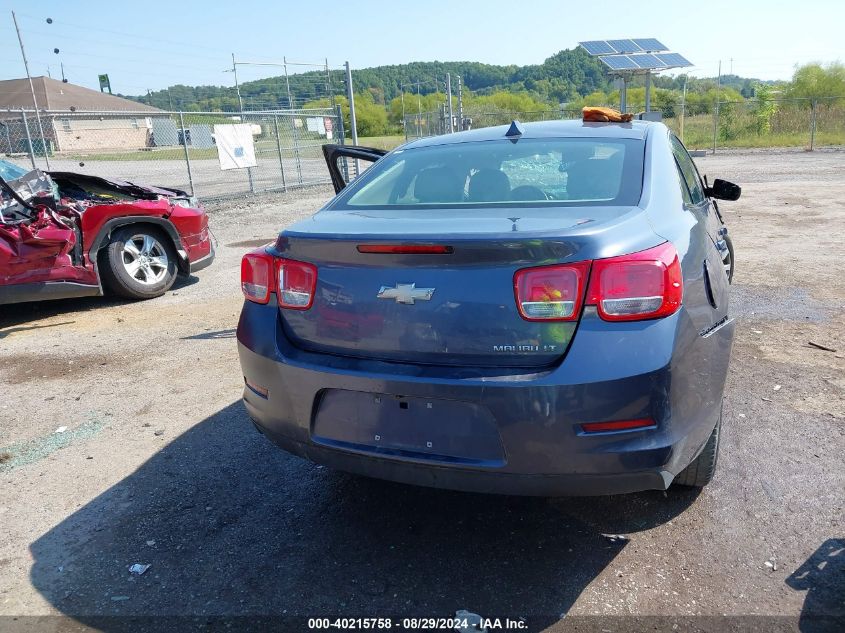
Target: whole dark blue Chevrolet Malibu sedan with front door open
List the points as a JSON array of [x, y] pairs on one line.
[[527, 309]]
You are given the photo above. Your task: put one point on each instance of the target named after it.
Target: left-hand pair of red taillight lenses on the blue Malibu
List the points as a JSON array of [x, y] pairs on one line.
[[294, 282]]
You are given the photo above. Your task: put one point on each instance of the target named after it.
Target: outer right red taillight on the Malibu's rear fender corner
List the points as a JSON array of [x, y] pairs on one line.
[[644, 285]]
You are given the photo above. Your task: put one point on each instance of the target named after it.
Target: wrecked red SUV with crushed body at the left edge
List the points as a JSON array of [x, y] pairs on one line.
[[72, 235]]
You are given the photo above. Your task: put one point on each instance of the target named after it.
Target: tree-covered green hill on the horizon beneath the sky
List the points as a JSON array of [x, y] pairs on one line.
[[561, 78]]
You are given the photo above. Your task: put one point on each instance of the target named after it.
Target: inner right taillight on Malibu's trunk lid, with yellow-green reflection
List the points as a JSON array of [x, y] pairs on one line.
[[551, 293]]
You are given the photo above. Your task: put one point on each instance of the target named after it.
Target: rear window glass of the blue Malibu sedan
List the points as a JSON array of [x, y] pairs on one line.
[[530, 172]]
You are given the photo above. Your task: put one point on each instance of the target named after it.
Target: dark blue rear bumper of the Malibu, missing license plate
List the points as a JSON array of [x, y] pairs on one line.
[[609, 374]]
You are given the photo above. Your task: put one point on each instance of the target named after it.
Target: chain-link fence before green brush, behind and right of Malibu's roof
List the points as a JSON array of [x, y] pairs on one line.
[[799, 123]]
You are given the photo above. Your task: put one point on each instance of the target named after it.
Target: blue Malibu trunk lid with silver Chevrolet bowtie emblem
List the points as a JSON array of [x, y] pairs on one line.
[[455, 306]]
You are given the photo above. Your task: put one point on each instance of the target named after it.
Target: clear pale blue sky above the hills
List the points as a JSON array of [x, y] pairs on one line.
[[154, 44]]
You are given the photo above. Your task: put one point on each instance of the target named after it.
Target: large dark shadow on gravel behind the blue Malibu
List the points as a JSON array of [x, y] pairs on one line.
[[233, 526]]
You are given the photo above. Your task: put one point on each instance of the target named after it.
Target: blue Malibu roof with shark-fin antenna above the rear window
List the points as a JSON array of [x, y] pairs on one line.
[[574, 128]]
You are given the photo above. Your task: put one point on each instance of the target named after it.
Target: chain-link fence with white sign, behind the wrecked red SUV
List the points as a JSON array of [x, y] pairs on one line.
[[178, 149]]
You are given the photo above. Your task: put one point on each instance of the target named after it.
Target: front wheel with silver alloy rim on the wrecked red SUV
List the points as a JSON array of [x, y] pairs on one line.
[[139, 262]]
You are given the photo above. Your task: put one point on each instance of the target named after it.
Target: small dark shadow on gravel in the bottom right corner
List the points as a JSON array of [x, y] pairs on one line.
[[822, 576]]
